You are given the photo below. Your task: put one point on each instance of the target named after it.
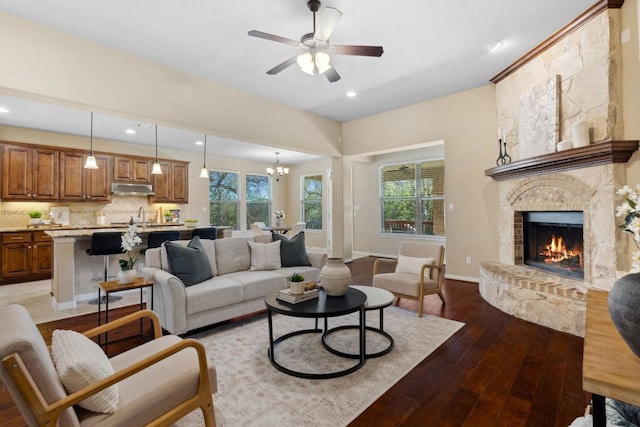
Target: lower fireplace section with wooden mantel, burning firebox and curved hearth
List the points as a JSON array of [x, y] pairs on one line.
[[570, 192]]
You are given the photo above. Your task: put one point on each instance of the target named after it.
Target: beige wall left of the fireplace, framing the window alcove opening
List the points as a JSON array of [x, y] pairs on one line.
[[466, 122]]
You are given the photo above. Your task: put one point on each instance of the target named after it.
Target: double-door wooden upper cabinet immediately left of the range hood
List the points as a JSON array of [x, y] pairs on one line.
[[80, 184]]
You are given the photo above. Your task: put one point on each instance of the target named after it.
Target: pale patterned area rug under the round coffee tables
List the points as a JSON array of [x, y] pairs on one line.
[[251, 392]]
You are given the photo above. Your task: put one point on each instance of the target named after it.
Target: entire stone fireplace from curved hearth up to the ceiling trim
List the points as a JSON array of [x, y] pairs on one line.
[[573, 76]]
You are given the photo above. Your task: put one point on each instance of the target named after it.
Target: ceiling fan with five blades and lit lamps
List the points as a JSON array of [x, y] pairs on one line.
[[317, 50]]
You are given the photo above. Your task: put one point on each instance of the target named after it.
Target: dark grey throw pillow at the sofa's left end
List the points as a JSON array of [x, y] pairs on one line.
[[189, 263]]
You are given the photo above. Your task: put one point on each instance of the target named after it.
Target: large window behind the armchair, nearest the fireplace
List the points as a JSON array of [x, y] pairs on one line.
[[412, 198]]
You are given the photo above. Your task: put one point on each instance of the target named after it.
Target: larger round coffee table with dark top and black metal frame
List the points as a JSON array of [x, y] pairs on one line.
[[322, 307]]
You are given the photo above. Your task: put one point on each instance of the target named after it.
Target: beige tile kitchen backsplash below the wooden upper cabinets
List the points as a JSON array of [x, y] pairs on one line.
[[121, 209]]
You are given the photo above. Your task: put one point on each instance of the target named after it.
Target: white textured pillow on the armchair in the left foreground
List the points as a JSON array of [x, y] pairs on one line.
[[81, 362]]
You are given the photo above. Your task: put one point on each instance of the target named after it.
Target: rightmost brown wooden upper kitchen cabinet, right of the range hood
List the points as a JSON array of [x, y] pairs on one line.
[[173, 185]]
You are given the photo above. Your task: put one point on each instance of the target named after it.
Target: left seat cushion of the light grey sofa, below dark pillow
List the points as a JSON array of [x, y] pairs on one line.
[[219, 291]]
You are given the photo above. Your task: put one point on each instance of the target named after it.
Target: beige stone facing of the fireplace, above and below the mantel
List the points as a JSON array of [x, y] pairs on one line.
[[588, 61]]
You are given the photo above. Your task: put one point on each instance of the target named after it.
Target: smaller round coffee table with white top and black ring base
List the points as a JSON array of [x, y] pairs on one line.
[[377, 299]]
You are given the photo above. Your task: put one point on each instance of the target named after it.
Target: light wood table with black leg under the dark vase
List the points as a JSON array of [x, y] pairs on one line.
[[609, 367]]
